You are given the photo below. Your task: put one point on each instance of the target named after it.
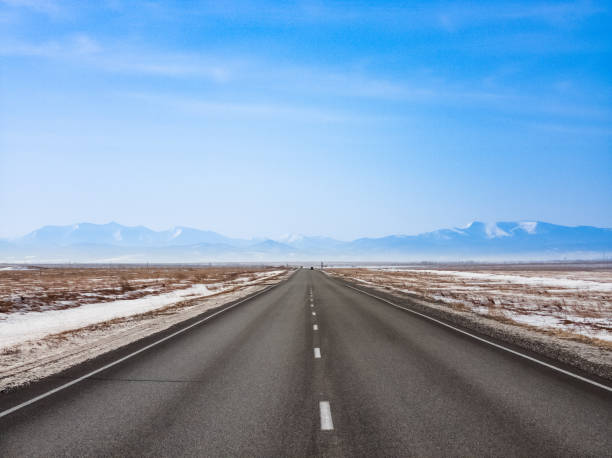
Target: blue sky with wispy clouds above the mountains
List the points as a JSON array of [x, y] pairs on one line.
[[344, 119]]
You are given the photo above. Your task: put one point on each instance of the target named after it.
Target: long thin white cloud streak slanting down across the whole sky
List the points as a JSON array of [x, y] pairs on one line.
[[271, 79]]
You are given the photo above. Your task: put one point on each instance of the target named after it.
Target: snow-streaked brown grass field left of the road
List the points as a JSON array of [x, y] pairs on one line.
[[56, 333]]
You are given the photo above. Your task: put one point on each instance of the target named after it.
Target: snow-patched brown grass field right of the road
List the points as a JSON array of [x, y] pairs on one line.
[[569, 304]]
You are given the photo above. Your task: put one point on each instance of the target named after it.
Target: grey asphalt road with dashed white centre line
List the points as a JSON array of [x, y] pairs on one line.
[[249, 382]]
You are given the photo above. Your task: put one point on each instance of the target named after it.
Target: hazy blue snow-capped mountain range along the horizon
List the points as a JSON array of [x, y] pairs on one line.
[[112, 242]]
